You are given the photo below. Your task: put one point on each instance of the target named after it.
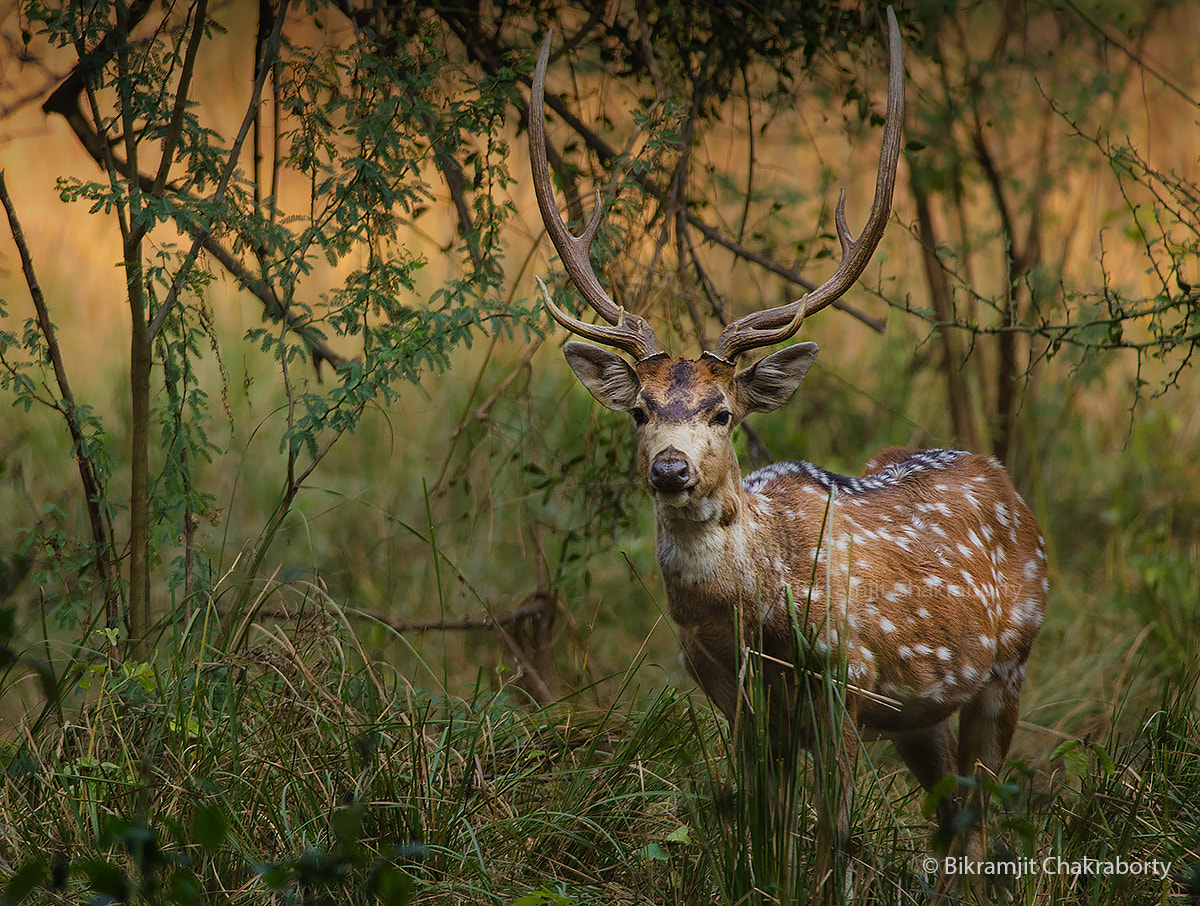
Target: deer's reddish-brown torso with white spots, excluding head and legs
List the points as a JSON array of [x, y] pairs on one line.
[[925, 578]]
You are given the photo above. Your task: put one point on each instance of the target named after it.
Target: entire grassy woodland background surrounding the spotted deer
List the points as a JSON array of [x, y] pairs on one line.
[[322, 580]]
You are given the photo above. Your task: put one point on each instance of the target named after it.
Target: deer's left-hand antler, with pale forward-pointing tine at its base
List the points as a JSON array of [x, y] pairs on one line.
[[625, 331]]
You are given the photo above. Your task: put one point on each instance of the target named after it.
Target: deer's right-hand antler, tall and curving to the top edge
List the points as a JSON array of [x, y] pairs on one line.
[[775, 326]]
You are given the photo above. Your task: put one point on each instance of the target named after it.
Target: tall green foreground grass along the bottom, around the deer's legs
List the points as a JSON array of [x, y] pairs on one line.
[[298, 767]]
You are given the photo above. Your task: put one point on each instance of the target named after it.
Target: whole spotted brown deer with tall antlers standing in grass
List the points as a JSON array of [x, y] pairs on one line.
[[923, 581]]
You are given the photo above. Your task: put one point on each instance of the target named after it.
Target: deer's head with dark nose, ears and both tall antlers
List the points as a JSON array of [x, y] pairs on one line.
[[685, 411]]
